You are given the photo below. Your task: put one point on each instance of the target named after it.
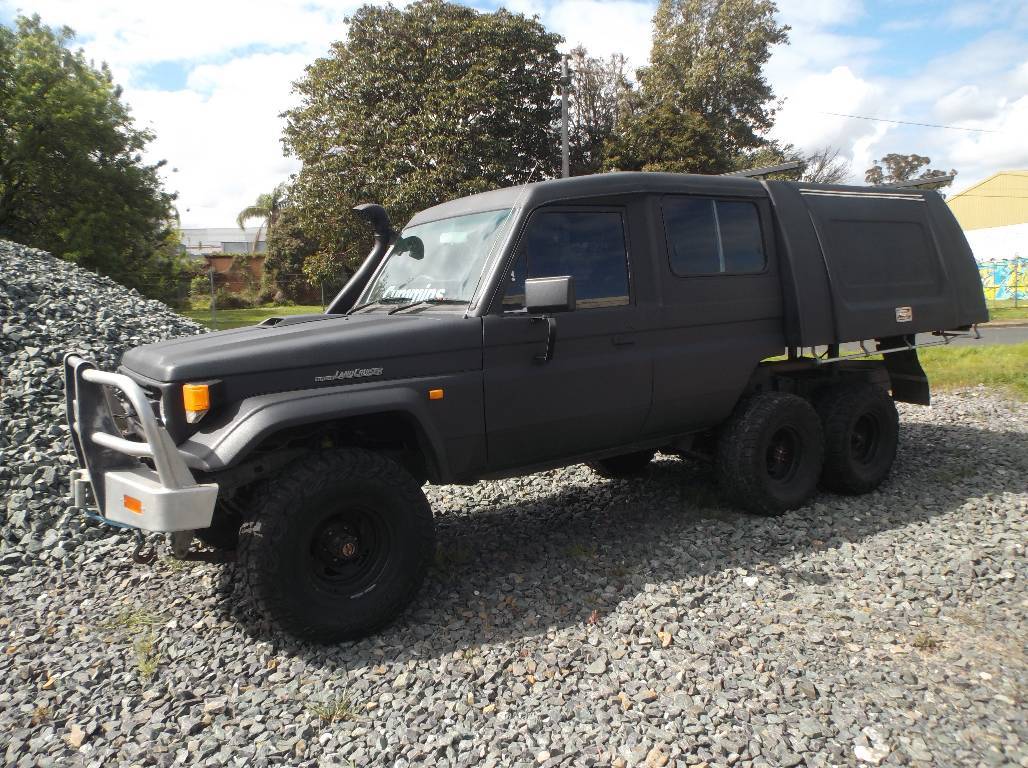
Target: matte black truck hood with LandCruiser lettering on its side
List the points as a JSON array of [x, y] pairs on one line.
[[300, 351]]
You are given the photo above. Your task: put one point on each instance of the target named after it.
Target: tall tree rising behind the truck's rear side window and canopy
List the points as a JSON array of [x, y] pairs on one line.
[[706, 75]]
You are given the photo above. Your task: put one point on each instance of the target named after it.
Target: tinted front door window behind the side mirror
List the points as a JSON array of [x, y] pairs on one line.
[[588, 245]]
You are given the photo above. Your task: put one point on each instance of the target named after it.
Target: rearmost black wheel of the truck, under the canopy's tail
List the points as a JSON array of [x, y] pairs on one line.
[[862, 431]]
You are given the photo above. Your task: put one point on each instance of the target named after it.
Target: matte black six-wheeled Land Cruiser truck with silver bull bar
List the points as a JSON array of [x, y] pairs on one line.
[[766, 326]]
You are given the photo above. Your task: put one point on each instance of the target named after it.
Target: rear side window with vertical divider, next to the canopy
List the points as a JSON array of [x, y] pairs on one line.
[[708, 237]]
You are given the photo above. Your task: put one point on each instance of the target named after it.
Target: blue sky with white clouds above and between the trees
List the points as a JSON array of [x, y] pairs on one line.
[[211, 79]]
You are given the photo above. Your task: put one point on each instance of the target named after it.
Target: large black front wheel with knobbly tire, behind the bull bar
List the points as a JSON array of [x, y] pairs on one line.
[[339, 546]]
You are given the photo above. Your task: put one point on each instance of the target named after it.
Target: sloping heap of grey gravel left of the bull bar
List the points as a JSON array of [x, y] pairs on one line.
[[48, 308]]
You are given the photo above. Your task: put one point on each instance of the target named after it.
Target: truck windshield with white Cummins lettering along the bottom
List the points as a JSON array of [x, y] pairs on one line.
[[437, 262]]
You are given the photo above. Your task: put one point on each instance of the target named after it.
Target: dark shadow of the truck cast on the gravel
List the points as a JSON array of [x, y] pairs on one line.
[[506, 573]]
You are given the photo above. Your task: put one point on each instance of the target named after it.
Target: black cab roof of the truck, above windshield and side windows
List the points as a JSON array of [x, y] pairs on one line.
[[597, 186]]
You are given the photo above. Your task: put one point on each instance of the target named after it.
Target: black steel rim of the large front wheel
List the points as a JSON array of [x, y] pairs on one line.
[[349, 551]]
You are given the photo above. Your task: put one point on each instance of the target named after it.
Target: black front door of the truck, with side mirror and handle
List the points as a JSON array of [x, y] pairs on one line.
[[596, 391]]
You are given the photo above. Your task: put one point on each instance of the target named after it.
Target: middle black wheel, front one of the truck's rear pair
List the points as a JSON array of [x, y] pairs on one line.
[[770, 454]]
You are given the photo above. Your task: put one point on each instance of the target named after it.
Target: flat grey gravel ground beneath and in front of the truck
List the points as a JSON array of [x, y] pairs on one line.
[[571, 620]]
